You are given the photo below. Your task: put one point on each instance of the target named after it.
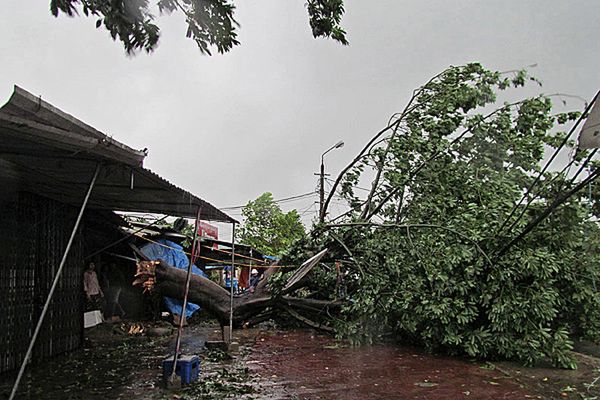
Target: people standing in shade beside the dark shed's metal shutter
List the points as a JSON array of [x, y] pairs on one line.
[[103, 292]]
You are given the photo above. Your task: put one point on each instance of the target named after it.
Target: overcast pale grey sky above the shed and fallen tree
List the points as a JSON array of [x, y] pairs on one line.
[[230, 127]]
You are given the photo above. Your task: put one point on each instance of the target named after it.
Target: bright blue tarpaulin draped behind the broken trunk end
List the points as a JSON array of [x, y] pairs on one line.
[[175, 257]]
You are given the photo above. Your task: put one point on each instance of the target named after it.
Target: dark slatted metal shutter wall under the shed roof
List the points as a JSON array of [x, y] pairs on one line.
[[34, 232]]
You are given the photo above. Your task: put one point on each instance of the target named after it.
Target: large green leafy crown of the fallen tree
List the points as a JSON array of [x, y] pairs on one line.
[[425, 251]]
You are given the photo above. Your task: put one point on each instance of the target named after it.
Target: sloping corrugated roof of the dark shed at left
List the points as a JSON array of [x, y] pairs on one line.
[[47, 151]]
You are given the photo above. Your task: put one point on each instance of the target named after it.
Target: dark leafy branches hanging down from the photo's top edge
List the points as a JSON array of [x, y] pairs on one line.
[[210, 23]]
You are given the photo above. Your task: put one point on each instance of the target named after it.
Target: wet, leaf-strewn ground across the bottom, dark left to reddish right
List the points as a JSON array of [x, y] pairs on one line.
[[296, 364]]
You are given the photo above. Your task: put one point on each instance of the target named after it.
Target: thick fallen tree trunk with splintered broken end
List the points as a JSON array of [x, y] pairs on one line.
[[249, 308]]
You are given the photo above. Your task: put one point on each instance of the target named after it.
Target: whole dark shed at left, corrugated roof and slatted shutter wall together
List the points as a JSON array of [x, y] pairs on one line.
[[53, 166]]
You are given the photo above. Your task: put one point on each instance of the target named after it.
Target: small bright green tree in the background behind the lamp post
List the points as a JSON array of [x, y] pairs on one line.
[[267, 228]]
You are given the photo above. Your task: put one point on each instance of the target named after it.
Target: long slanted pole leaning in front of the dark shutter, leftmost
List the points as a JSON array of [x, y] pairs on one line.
[[54, 284]]
